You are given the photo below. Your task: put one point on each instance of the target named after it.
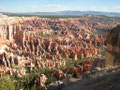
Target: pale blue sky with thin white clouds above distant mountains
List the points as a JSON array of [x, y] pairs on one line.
[[59, 5]]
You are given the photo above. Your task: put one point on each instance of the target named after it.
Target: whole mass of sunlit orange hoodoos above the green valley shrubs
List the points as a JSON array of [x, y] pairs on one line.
[[40, 42]]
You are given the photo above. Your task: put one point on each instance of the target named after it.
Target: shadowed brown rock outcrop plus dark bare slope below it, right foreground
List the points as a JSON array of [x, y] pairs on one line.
[[108, 78]]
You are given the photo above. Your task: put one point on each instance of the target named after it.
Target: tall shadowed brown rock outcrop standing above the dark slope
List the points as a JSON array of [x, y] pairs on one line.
[[113, 47]]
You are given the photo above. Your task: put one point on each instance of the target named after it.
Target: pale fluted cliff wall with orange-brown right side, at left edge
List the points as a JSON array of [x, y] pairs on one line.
[[12, 32]]
